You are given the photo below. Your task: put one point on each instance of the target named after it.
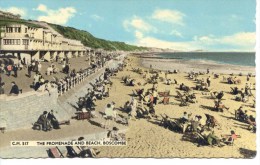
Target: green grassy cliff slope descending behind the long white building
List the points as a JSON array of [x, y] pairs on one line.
[[89, 40]]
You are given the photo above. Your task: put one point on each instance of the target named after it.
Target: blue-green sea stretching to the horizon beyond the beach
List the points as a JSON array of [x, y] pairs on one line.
[[233, 58]]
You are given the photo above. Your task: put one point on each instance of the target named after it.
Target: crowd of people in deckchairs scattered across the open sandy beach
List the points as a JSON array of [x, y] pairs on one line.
[[135, 107]]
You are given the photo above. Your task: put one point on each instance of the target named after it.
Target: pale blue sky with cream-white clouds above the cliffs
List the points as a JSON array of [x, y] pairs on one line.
[[186, 25]]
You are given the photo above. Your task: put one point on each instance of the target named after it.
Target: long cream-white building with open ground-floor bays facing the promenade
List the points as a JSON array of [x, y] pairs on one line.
[[38, 43]]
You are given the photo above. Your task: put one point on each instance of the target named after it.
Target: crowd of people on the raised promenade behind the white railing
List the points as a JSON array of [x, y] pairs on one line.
[[42, 83]]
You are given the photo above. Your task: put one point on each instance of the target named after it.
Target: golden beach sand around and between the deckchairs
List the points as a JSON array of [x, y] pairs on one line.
[[148, 139]]
